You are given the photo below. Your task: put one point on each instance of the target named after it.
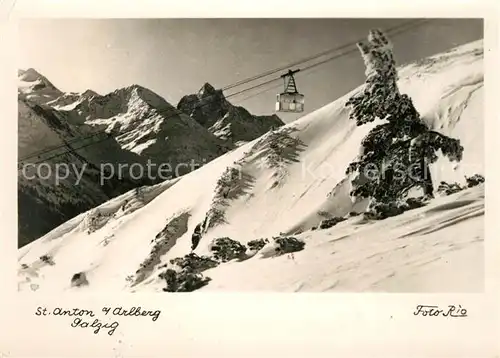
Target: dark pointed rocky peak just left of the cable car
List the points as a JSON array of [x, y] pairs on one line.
[[235, 124]]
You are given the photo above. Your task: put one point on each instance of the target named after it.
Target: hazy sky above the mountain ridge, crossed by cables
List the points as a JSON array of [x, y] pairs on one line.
[[175, 57]]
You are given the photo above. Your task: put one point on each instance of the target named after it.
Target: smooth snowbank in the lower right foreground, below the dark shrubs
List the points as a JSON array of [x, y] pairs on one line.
[[421, 250]]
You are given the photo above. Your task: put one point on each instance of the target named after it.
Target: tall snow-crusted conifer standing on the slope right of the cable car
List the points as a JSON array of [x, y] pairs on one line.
[[397, 153]]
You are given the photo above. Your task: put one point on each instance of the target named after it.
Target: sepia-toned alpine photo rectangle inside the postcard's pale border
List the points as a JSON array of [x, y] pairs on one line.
[[315, 155]]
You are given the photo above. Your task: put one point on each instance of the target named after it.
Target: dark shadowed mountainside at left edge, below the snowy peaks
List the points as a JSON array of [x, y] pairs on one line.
[[44, 203]]
